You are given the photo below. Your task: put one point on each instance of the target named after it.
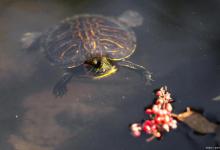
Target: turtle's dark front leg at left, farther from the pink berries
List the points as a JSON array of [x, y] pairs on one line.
[[60, 88]]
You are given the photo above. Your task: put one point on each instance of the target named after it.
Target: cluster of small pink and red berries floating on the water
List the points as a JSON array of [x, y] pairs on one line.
[[160, 117]]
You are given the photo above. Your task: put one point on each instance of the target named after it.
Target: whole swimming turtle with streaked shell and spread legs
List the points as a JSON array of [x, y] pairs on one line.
[[98, 43]]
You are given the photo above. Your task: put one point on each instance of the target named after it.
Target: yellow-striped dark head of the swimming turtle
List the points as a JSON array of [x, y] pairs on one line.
[[100, 67]]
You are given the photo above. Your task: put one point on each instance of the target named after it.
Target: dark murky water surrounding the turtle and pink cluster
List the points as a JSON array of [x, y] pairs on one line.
[[179, 42]]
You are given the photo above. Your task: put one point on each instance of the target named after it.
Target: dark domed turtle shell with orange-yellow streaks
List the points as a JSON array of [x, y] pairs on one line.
[[79, 38]]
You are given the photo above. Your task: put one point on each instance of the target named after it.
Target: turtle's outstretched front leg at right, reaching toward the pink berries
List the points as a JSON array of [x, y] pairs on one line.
[[146, 73]]
